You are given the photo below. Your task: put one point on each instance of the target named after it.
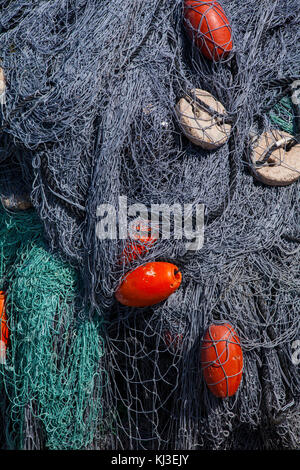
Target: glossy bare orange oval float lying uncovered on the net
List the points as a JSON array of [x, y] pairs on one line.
[[149, 284]]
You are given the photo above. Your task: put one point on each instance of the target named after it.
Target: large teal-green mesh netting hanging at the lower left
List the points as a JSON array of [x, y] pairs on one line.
[[51, 385]]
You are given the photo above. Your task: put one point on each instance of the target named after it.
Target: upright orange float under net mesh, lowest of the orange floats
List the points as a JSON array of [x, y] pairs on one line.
[[222, 360]]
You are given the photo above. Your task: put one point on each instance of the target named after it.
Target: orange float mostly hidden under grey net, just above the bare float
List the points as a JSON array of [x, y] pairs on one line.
[[141, 240]]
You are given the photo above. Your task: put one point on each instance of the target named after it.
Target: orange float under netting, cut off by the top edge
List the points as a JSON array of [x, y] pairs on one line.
[[207, 25]]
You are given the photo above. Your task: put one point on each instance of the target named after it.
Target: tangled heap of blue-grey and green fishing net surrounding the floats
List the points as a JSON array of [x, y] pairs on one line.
[[90, 115]]
